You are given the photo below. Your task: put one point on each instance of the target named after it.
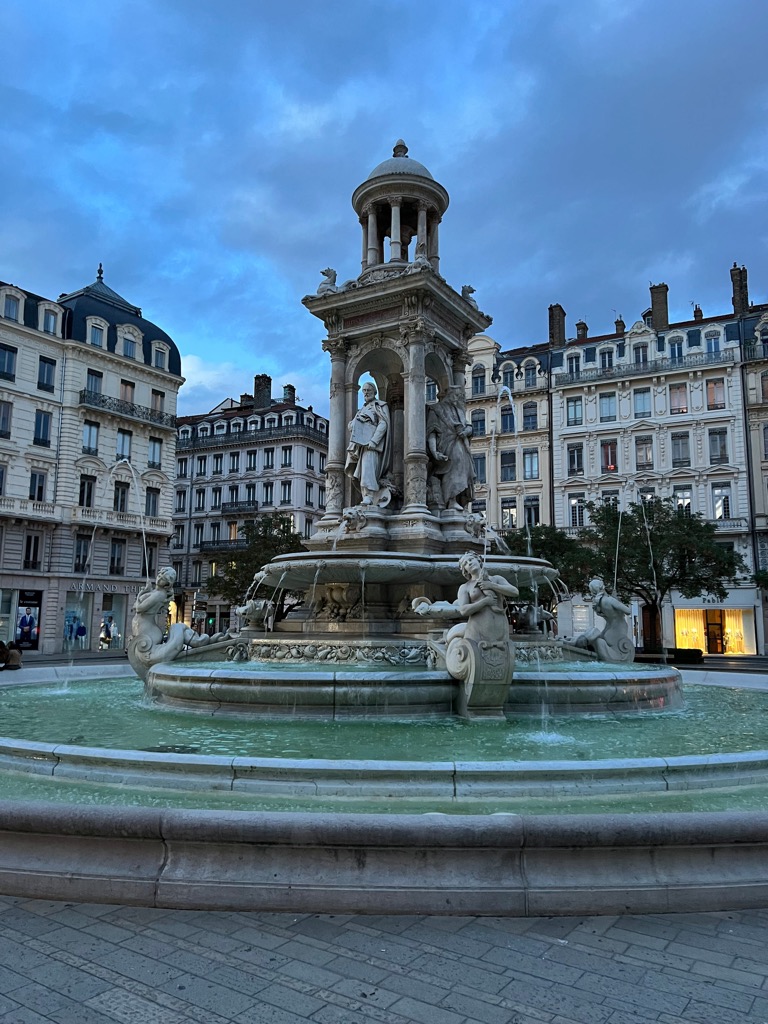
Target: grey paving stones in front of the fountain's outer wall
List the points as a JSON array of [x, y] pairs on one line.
[[77, 964]]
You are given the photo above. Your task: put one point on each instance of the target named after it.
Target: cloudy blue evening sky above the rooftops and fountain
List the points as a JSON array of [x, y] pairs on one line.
[[206, 154]]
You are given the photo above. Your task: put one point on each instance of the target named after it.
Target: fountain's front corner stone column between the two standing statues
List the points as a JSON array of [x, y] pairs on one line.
[[415, 491]]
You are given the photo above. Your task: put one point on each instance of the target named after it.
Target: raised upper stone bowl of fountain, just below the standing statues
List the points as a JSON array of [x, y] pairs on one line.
[[304, 571]]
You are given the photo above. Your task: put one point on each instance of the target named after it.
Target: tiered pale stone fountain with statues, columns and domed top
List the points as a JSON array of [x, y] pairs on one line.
[[405, 619]]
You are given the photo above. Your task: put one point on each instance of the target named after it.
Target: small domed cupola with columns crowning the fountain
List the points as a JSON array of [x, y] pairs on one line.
[[401, 201]]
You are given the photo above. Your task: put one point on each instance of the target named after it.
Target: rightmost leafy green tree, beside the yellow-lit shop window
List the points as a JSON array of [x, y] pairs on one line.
[[658, 550]]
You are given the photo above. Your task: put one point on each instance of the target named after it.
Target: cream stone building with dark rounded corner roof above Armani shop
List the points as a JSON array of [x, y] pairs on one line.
[[89, 394]]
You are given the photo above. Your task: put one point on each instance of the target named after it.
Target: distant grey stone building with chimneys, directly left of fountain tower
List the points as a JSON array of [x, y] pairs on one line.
[[242, 459]]
